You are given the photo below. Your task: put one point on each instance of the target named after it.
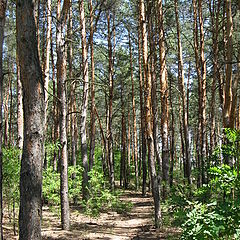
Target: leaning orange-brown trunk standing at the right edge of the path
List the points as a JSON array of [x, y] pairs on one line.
[[155, 179]]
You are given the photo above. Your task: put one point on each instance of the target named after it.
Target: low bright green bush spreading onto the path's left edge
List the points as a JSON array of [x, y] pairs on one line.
[[101, 198]]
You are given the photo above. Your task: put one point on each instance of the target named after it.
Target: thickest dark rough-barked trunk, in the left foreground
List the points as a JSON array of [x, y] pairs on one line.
[[33, 103]]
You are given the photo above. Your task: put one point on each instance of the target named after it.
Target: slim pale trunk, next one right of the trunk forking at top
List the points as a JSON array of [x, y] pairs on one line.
[[84, 103]]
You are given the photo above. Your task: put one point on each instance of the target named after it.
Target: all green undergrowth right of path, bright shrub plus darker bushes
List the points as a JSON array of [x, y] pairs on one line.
[[213, 210]]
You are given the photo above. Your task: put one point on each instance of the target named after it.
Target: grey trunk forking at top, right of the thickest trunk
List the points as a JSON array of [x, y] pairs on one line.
[[61, 77]]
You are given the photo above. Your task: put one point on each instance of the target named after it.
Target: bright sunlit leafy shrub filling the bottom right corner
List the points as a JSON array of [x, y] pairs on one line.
[[220, 218]]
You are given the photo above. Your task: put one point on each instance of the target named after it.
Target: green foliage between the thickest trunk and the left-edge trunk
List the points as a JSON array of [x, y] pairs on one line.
[[11, 173]]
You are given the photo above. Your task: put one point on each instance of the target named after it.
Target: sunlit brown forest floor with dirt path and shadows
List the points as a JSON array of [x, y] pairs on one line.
[[134, 225]]
